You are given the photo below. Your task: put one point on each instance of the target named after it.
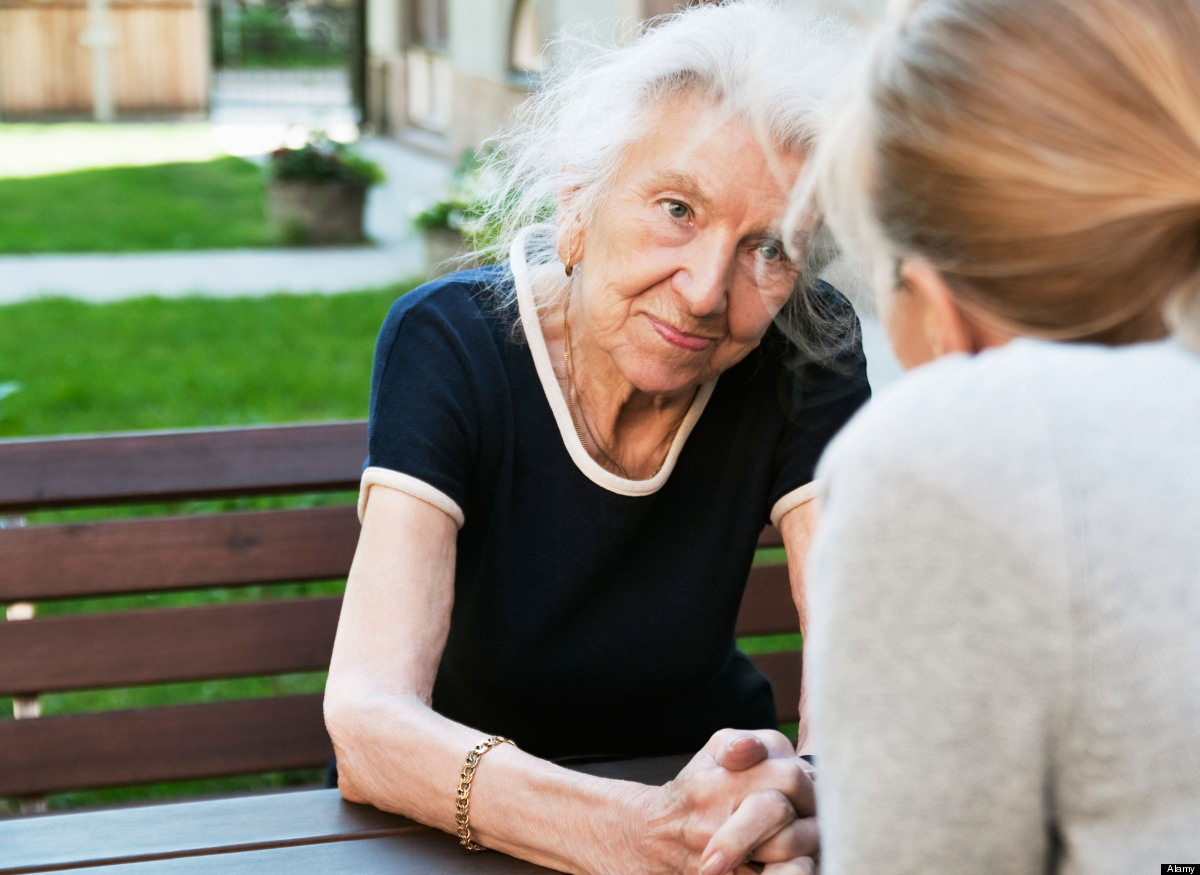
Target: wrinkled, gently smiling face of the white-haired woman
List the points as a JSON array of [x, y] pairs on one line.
[[683, 268]]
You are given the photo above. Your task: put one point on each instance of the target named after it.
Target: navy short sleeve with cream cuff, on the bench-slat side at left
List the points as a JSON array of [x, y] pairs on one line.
[[430, 365]]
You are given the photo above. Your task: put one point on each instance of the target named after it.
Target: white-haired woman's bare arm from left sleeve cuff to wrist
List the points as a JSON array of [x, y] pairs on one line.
[[394, 752]]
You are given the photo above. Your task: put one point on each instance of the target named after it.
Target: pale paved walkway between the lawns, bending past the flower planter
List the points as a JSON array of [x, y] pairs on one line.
[[413, 178]]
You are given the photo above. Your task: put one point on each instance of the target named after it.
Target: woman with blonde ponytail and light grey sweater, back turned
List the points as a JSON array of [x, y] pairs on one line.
[[1005, 589]]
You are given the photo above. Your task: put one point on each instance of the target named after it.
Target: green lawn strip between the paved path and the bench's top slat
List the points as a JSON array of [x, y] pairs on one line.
[[153, 363]]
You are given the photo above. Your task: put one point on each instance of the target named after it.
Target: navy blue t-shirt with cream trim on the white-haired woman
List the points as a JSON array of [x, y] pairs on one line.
[[591, 622]]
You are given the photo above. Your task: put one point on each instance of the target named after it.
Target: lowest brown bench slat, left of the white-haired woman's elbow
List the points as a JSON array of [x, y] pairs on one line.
[[116, 748]]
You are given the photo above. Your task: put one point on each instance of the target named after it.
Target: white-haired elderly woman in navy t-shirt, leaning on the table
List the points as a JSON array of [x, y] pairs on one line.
[[572, 458]]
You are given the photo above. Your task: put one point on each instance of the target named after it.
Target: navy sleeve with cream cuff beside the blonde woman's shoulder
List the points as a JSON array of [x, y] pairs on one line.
[[818, 399]]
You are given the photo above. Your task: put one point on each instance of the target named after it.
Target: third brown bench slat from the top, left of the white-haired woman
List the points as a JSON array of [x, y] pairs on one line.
[[127, 649]]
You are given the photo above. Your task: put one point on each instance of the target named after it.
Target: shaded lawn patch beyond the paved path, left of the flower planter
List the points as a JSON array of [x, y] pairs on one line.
[[213, 205]]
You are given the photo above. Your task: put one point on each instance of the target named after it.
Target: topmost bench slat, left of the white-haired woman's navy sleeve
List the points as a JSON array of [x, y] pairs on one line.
[[167, 466]]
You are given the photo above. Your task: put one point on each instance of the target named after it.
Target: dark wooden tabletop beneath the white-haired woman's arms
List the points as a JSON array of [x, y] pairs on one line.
[[310, 831]]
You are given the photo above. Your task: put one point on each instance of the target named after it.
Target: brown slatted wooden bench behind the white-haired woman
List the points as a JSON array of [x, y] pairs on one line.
[[43, 564]]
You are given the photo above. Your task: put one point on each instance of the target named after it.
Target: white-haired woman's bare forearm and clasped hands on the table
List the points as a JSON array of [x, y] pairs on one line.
[[398, 754]]
